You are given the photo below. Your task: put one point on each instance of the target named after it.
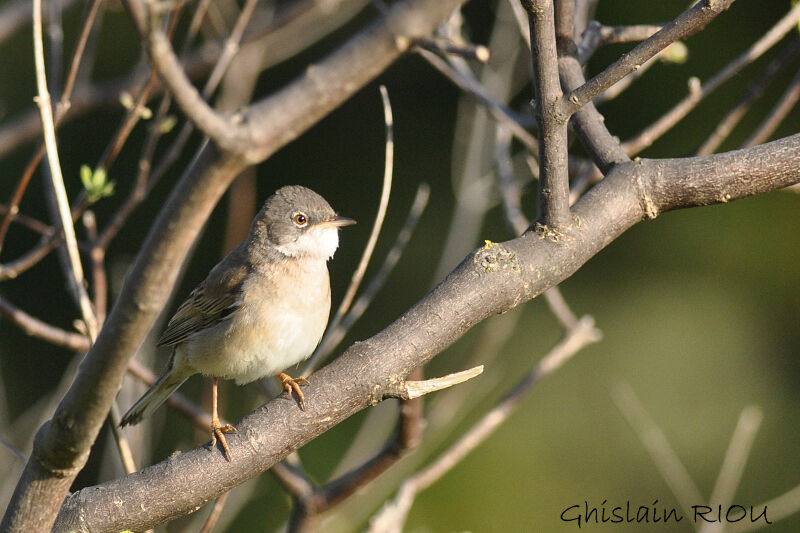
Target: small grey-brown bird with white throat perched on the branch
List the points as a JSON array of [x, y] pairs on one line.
[[261, 309]]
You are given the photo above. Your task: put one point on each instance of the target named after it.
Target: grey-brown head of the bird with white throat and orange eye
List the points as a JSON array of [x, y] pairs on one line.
[[297, 222]]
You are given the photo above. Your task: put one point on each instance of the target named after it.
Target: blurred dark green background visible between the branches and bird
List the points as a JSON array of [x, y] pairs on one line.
[[699, 308]]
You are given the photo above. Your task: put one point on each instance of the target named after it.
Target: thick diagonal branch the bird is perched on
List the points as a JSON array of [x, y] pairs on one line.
[[488, 281]]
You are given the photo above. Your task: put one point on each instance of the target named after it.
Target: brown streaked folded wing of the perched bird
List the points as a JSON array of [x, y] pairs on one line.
[[214, 300]]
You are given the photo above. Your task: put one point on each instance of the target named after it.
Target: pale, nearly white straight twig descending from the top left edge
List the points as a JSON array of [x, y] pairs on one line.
[[48, 127]]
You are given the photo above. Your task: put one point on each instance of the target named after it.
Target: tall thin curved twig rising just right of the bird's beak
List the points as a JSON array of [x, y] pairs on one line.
[[326, 346]]
